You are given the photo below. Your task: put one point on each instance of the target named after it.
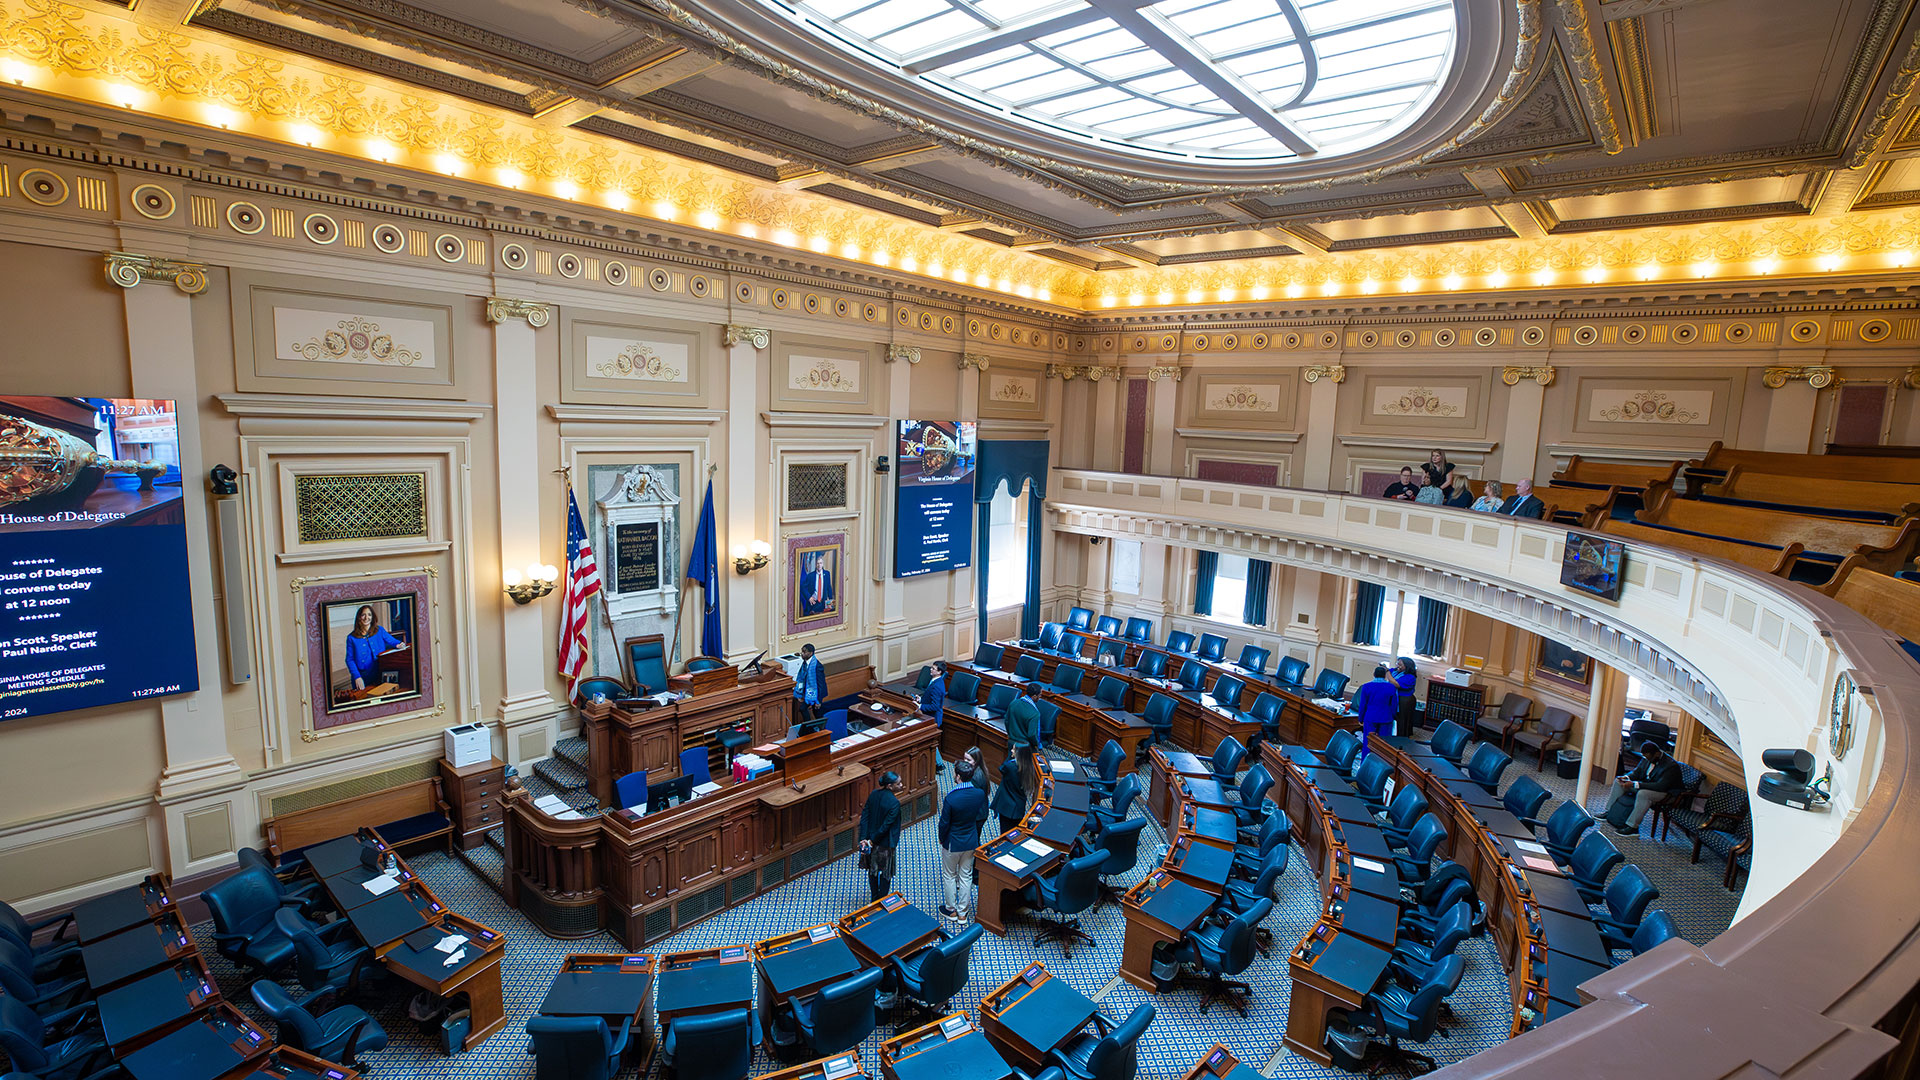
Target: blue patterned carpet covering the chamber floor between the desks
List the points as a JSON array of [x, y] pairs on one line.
[[1178, 1037]]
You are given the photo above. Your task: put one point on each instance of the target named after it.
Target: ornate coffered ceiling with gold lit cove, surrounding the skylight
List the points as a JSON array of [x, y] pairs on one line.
[[1694, 137]]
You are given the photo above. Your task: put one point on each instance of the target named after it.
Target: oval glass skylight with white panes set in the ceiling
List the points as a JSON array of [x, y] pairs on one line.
[[1226, 82]]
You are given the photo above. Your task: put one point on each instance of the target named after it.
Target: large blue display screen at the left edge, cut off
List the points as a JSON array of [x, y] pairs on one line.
[[95, 602]]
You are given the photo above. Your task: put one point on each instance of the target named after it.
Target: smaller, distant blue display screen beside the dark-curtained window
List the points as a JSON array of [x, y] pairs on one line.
[[934, 528]]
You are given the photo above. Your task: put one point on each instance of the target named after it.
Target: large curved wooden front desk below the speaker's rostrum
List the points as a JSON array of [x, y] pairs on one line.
[[644, 877]]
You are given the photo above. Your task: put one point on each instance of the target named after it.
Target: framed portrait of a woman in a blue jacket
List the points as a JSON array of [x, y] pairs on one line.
[[368, 649]]
